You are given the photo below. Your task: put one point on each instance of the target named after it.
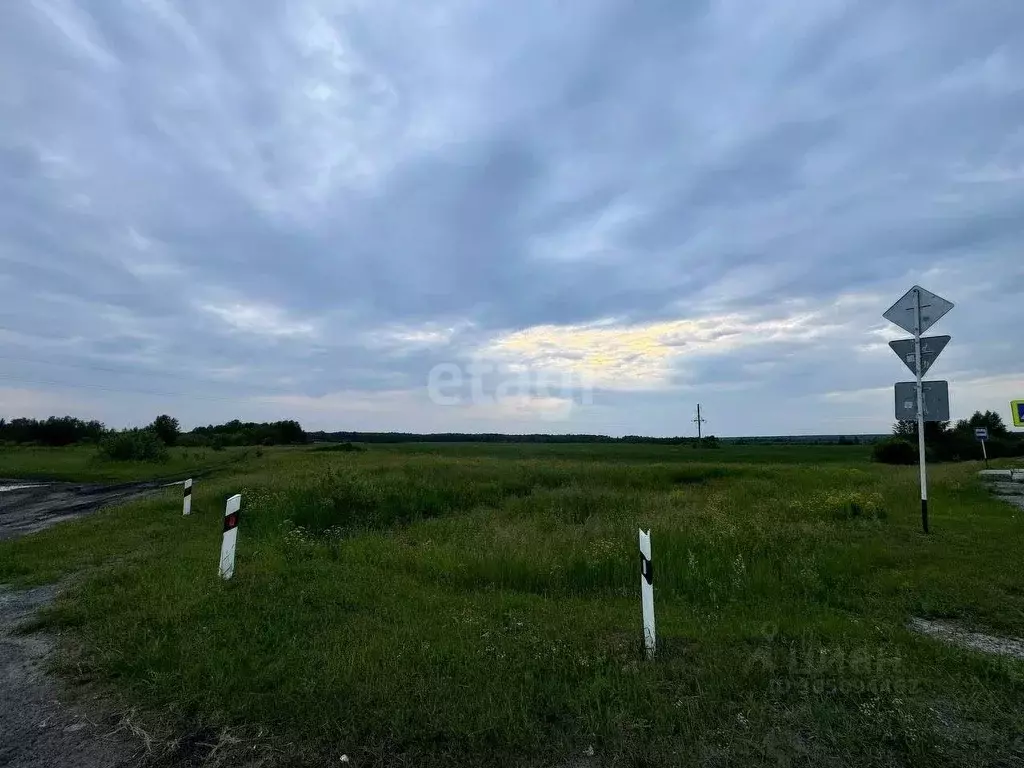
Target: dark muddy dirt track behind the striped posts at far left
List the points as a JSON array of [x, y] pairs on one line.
[[29, 508]]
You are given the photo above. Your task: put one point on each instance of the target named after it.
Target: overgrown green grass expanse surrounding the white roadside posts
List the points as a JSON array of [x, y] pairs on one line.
[[480, 606]]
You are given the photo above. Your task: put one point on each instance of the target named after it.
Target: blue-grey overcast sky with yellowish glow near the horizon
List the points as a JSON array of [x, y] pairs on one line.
[[506, 217]]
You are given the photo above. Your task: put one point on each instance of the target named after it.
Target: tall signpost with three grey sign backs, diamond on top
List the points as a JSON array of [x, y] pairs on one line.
[[917, 312]]
